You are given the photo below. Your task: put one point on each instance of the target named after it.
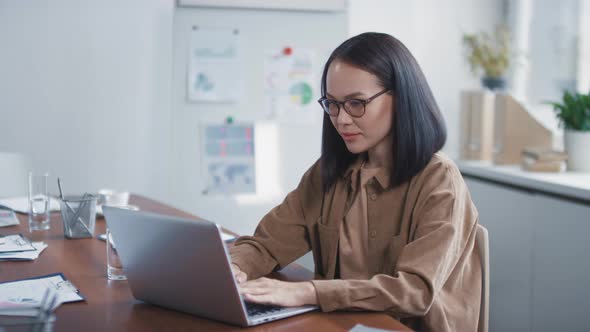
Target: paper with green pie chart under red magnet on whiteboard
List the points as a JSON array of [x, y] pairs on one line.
[[290, 85]]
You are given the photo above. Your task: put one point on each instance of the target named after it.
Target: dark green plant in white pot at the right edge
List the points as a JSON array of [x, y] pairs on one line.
[[573, 113]]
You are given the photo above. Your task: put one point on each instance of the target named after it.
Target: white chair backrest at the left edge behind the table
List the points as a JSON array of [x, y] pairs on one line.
[[13, 174]]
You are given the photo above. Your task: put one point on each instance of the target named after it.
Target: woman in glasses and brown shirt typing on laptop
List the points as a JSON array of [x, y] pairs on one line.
[[388, 217]]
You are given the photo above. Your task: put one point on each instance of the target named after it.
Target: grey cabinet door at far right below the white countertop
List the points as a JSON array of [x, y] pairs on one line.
[[561, 280]]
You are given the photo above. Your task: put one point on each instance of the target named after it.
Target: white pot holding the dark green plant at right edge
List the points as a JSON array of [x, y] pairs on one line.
[[577, 146]]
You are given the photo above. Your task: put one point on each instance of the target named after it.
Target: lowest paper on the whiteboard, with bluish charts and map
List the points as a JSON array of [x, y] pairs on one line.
[[228, 163]]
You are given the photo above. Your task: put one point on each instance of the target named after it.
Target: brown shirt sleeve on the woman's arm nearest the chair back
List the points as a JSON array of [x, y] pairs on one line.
[[445, 229]]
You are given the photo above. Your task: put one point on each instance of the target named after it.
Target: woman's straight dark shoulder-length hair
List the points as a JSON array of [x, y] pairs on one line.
[[418, 128]]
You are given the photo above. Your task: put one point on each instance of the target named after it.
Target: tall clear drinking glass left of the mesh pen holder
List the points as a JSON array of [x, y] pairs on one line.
[[38, 202]]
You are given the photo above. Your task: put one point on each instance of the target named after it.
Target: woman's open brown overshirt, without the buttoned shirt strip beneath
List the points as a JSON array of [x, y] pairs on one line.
[[424, 267]]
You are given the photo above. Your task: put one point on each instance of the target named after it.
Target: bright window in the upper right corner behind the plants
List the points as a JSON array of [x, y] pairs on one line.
[[551, 44]]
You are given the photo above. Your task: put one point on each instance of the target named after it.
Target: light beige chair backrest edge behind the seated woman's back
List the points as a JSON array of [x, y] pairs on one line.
[[483, 247]]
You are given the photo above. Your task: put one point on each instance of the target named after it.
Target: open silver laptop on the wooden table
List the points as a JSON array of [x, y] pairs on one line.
[[183, 264]]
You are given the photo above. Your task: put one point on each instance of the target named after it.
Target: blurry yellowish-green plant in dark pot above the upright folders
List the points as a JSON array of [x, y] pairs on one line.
[[490, 54]]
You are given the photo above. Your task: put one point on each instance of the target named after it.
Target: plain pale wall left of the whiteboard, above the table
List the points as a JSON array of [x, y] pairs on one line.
[[86, 90]]
